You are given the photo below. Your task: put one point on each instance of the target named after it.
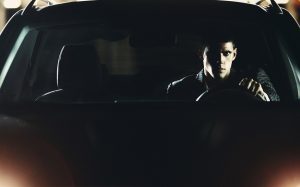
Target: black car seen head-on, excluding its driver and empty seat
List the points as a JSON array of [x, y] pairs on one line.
[[133, 136]]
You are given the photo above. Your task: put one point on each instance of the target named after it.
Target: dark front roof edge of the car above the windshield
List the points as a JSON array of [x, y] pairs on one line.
[[133, 10]]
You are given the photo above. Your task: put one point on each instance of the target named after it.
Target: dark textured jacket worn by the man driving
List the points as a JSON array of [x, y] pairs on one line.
[[189, 88]]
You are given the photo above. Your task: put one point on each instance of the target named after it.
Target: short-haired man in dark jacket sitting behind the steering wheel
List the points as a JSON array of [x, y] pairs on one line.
[[218, 56]]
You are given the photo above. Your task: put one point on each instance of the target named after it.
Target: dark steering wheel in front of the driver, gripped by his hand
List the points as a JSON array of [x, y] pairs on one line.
[[227, 95]]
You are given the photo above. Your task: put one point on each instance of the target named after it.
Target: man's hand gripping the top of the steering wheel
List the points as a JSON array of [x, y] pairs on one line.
[[255, 88]]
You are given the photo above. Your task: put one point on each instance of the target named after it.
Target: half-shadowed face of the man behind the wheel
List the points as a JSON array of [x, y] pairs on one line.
[[217, 60]]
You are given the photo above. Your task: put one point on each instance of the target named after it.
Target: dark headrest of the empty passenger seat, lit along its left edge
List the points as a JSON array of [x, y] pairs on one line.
[[79, 68]]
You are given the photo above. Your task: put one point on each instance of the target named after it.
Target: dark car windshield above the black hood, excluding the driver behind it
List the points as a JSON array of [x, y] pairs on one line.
[[127, 63]]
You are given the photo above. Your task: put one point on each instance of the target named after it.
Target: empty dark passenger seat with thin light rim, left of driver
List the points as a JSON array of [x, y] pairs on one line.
[[80, 76]]
